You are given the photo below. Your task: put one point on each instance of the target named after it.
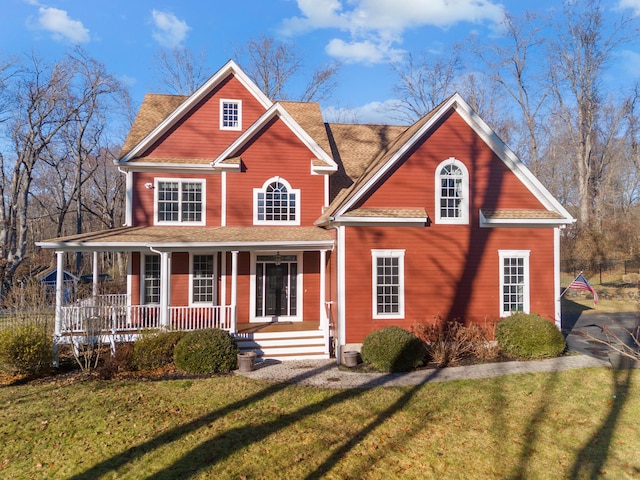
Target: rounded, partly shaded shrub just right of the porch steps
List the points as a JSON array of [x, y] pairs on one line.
[[393, 349]]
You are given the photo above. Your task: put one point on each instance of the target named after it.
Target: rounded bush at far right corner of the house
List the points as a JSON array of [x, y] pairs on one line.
[[529, 336]]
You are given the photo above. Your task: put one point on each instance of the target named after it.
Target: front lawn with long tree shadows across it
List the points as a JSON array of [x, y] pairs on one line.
[[574, 424]]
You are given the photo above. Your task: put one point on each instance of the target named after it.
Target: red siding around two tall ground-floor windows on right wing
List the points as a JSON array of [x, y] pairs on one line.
[[447, 274]]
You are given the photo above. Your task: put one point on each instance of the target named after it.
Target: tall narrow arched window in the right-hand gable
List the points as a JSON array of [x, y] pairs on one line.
[[452, 192]]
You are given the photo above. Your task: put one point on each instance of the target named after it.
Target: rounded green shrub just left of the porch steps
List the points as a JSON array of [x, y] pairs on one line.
[[206, 352]]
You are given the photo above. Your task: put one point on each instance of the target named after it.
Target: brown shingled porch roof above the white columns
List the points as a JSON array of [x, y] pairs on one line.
[[195, 238]]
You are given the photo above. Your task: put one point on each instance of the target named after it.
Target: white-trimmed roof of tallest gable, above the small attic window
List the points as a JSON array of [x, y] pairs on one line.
[[171, 117]]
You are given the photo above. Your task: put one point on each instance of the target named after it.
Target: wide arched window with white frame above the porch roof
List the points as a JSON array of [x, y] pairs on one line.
[[276, 203]]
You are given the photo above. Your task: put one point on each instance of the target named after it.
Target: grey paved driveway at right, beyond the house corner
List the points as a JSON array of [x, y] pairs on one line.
[[574, 326]]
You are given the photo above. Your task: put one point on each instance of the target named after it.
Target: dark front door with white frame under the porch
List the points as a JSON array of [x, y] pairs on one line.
[[276, 286]]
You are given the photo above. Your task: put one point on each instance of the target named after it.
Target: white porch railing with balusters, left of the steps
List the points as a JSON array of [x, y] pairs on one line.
[[97, 314]]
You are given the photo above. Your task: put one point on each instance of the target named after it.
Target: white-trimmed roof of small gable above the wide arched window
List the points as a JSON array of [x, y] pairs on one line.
[[320, 163]]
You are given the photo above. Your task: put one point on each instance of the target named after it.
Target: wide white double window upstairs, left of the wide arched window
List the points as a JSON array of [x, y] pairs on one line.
[[180, 201]]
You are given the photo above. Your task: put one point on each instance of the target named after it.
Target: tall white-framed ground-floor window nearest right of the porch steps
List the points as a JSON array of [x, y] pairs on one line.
[[388, 283]]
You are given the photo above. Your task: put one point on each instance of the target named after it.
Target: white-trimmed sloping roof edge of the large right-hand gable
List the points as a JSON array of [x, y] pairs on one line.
[[387, 159]]
